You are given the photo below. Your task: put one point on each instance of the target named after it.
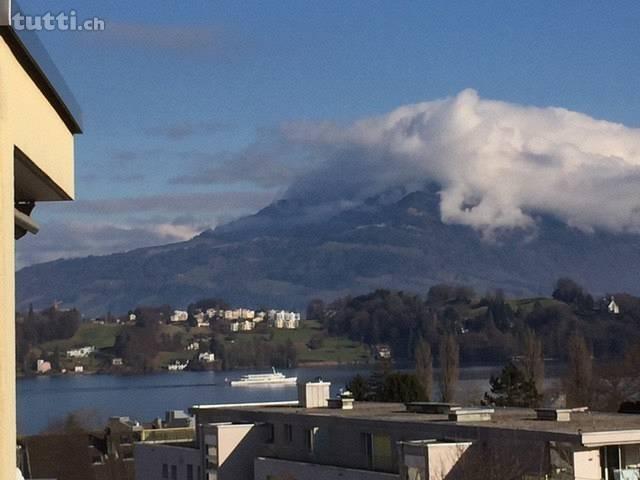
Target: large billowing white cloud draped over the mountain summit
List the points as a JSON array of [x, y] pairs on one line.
[[498, 164]]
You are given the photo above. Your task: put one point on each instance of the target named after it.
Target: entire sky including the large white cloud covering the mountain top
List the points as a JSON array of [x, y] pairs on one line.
[[202, 111]]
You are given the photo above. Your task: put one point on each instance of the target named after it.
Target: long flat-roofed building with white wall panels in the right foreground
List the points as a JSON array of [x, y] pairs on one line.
[[308, 440]]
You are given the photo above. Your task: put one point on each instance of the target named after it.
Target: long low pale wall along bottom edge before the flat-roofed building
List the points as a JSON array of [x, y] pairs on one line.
[[274, 469]]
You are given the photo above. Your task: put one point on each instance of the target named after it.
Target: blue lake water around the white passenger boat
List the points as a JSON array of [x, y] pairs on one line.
[[42, 400]]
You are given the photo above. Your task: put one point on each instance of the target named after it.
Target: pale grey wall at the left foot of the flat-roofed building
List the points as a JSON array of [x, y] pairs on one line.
[[150, 459]]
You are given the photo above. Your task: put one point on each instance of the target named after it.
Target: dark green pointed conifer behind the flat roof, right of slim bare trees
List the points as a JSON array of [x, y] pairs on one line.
[[513, 388]]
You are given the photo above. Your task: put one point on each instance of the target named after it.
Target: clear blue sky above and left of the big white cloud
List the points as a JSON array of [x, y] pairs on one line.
[[171, 89]]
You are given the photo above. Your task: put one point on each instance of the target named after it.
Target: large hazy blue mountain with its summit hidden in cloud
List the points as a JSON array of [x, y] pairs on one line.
[[294, 250]]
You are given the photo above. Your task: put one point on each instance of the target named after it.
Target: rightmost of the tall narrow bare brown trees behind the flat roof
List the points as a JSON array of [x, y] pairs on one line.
[[579, 375]]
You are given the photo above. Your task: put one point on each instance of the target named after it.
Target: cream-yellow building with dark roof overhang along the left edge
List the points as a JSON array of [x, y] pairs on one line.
[[38, 121]]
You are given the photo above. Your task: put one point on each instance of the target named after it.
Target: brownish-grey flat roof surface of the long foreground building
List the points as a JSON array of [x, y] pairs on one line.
[[502, 418]]
